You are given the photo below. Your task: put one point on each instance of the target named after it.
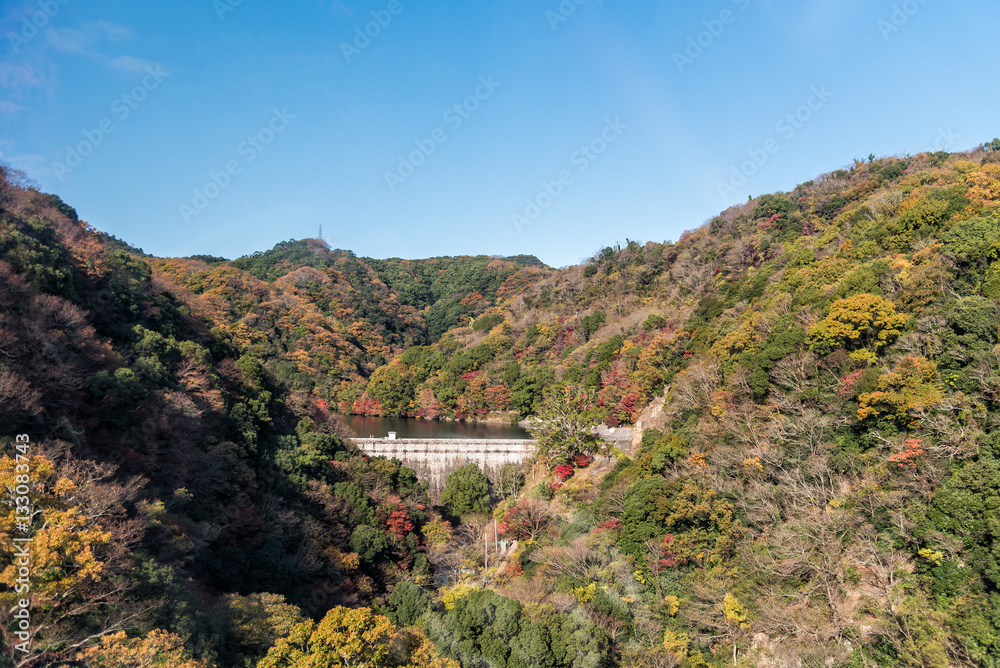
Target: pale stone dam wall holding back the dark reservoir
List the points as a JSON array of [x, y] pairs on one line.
[[434, 459]]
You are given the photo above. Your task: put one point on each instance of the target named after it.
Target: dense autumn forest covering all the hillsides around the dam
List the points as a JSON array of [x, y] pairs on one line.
[[814, 376]]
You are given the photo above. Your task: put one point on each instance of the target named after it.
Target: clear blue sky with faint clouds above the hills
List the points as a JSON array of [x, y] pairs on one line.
[[225, 126]]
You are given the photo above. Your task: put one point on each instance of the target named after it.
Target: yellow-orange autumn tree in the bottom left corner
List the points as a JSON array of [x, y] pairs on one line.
[[80, 542]]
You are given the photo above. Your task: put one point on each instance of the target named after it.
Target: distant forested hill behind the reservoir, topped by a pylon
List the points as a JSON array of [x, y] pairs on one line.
[[322, 320]]
